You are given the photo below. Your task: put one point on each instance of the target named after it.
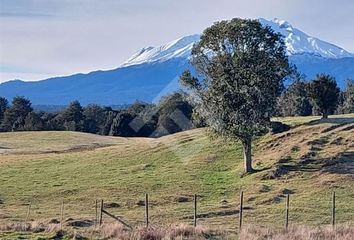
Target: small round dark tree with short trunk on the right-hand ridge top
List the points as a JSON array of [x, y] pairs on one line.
[[324, 94]]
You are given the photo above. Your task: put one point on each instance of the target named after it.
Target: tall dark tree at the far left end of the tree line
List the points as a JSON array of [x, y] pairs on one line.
[[15, 115]]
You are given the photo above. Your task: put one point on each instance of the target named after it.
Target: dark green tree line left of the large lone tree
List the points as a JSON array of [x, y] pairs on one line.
[[139, 119]]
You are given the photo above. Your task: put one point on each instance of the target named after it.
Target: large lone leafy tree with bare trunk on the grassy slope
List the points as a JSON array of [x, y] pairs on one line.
[[240, 66]]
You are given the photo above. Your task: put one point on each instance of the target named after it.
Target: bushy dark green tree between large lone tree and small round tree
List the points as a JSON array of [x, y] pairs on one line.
[[295, 101]]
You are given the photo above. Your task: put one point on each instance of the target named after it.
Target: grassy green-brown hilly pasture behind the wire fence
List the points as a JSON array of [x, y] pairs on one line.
[[310, 161]]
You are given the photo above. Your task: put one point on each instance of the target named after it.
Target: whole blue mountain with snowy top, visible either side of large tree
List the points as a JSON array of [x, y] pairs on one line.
[[154, 71]]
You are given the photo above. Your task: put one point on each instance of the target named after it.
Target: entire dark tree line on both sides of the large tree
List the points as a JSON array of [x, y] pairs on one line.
[[174, 113]]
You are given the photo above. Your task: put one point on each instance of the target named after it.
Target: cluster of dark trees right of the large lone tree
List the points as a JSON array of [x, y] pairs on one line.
[[320, 96]]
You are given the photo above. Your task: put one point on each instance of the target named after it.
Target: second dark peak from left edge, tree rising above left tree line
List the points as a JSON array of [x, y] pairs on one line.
[[72, 117]]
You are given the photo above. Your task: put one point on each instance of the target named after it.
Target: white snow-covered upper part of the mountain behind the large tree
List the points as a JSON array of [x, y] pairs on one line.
[[296, 41]]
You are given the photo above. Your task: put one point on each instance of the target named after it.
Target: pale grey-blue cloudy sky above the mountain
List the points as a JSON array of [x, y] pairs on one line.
[[47, 38]]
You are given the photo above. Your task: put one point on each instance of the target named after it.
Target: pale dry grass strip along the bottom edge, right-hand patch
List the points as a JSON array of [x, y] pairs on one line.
[[342, 232]]
